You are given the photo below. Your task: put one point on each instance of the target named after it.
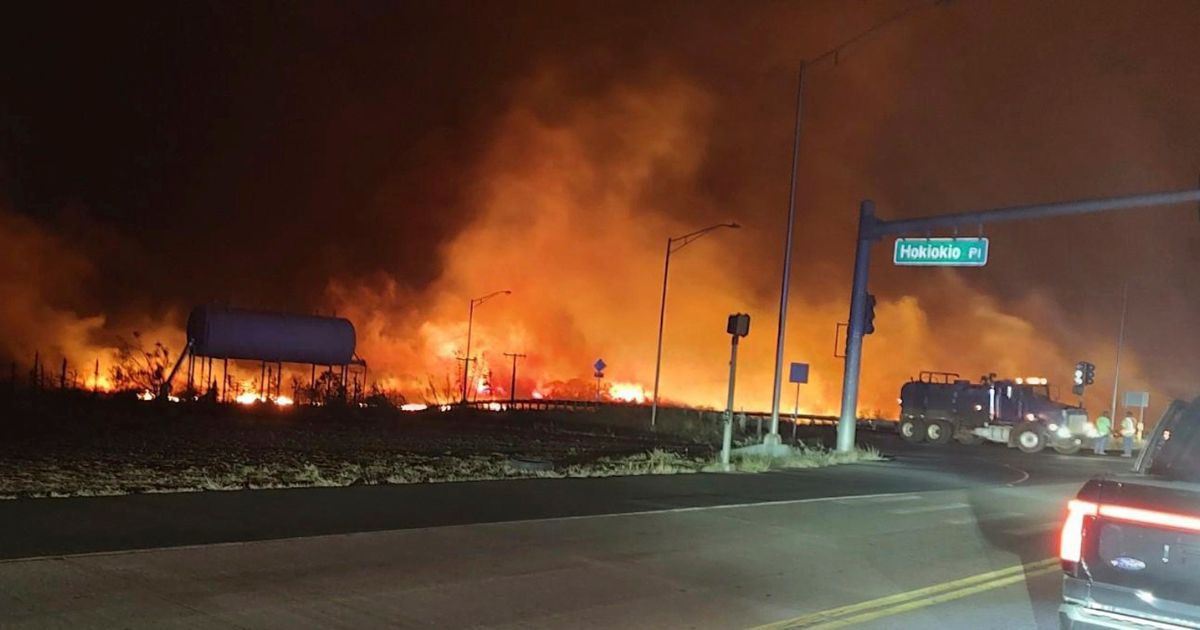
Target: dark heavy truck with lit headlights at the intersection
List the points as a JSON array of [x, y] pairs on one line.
[[938, 407]]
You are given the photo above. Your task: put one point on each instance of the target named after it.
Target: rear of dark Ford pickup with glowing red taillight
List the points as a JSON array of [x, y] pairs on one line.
[[1131, 543]]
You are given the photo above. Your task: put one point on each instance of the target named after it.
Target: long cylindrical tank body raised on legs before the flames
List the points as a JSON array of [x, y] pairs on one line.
[[224, 333]]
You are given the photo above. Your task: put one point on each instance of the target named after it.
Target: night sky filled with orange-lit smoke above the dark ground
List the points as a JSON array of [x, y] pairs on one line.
[[389, 165]]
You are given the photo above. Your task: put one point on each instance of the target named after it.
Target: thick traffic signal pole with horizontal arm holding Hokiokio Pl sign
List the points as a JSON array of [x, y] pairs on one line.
[[872, 230]]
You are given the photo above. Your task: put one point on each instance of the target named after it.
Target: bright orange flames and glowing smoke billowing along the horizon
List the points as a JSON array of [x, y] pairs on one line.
[[575, 230]]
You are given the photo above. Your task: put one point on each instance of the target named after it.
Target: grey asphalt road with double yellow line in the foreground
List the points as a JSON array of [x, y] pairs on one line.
[[952, 537]]
